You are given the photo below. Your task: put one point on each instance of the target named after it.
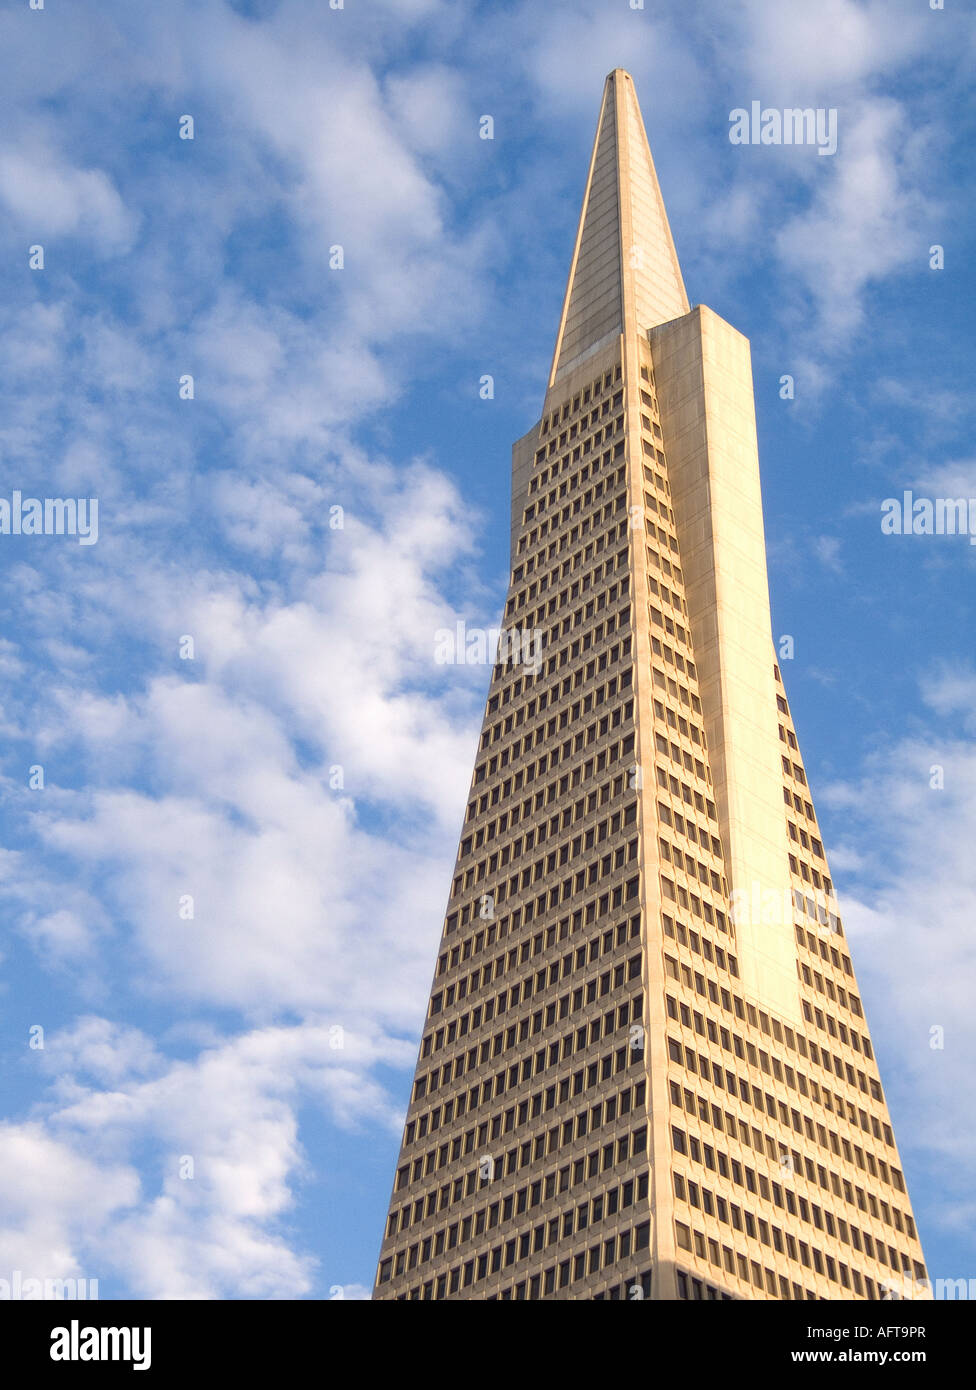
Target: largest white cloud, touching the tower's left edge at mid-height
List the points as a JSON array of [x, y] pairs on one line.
[[308, 768]]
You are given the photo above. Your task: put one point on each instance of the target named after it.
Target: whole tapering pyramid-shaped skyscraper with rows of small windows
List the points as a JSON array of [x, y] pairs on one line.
[[646, 1070]]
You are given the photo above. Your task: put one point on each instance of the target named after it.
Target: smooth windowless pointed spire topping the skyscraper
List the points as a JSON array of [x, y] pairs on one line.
[[625, 266]]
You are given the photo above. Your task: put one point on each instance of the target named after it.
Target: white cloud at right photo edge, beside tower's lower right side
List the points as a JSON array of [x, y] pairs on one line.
[[909, 906]]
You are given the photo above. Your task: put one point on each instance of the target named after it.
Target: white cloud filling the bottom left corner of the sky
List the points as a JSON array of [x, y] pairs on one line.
[[226, 1157]]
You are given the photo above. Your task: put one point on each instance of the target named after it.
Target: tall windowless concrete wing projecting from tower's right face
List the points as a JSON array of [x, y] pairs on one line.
[[704, 380]]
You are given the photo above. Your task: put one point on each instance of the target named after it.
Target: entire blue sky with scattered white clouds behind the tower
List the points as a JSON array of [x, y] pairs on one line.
[[270, 1039]]
